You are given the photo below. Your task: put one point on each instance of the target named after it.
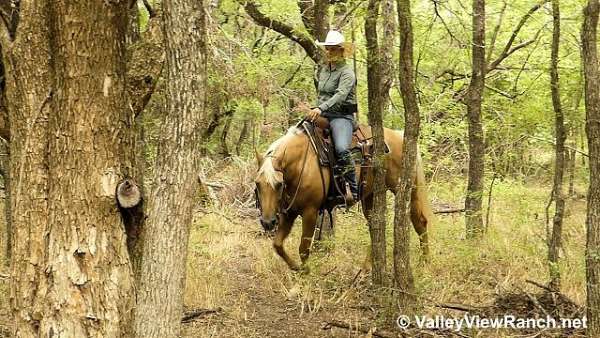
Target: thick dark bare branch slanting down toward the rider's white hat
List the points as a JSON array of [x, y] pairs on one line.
[[290, 32]]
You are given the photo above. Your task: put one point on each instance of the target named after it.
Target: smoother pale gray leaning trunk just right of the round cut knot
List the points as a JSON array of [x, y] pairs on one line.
[[175, 186]]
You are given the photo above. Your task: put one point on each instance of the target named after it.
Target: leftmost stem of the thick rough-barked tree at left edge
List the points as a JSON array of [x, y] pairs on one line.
[[27, 69]]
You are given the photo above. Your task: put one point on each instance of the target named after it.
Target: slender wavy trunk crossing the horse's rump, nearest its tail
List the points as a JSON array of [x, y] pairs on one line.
[[402, 269]]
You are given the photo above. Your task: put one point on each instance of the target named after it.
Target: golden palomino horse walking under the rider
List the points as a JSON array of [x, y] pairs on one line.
[[288, 185]]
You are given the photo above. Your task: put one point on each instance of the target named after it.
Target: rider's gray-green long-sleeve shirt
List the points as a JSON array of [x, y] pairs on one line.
[[336, 88]]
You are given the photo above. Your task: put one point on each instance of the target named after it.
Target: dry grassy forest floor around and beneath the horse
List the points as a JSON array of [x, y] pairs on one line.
[[233, 269]]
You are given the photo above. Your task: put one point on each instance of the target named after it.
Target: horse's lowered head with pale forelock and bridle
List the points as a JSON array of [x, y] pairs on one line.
[[269, 191]]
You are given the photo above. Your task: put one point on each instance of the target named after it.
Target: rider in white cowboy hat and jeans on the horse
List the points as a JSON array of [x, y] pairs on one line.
[[337, 102]]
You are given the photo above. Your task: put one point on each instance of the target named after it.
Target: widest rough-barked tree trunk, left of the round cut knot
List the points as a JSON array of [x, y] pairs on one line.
[[71, 274]]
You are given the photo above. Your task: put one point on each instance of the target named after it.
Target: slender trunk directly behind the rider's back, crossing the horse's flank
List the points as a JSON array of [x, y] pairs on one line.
[[377, 216]]
